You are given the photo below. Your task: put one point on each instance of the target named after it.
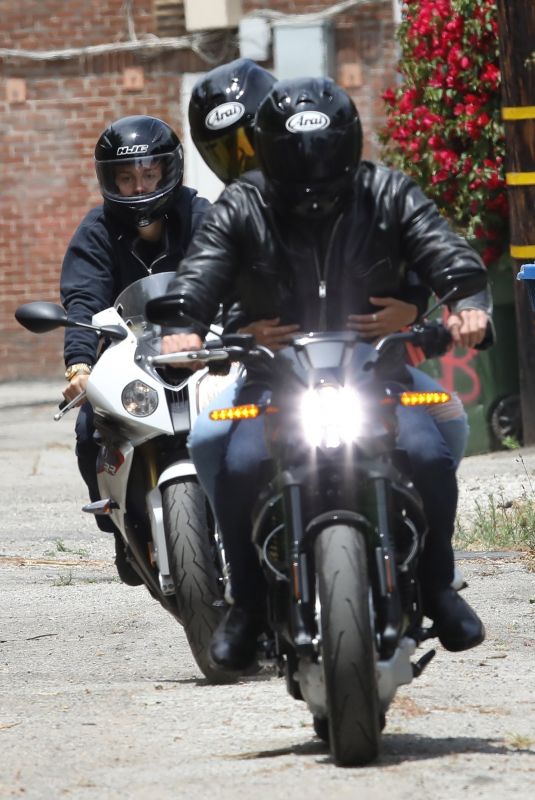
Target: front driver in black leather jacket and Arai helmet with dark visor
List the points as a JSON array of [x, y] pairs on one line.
[[309, 238]]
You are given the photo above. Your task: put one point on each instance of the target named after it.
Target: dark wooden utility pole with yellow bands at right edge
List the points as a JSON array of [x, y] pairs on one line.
[[516, 20]]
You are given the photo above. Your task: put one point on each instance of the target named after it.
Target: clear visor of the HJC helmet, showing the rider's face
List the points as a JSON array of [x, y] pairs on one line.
[[139, 178]]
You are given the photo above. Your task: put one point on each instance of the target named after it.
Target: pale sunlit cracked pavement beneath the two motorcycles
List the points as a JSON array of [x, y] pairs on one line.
[[100, 698]]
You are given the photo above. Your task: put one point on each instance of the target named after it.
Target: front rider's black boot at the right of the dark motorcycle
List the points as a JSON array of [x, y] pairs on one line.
[[457, 625]]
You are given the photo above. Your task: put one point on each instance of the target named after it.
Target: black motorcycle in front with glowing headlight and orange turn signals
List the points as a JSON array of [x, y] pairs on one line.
[[339, 525]]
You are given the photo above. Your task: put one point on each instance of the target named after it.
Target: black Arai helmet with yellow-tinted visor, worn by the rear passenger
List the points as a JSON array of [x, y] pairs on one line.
[[221, 115]]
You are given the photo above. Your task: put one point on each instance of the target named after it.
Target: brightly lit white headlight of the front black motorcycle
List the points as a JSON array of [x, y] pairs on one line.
[[331, 416]]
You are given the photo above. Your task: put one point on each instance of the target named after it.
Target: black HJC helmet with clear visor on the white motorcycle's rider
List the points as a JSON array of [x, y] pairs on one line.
[[139, 163]]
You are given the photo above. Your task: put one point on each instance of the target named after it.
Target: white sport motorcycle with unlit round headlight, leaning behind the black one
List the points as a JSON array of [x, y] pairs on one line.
[[147, 482]]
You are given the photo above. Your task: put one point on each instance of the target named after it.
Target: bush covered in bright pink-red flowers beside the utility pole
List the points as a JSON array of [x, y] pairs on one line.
[[443, 121]]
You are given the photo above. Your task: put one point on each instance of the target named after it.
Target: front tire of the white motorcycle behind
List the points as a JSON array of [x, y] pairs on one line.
[[192, 563]]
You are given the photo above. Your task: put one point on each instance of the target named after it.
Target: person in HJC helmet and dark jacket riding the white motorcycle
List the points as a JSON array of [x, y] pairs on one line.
[[144, 225]]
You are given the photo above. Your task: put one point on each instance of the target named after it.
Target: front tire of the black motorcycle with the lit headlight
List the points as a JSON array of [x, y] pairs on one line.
[[347, 646]]
